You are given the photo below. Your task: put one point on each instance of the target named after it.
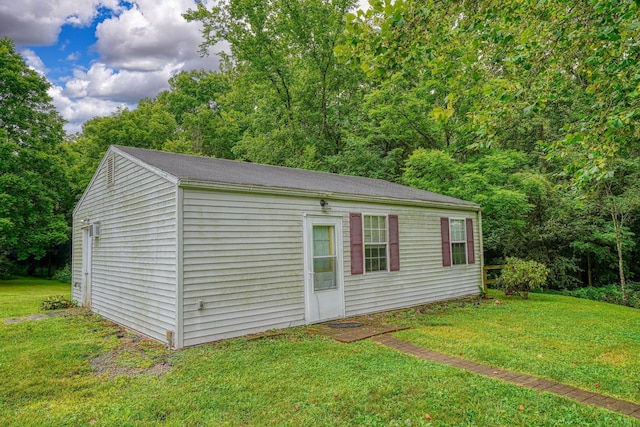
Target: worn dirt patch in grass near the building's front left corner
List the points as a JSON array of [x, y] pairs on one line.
[[135, 356]]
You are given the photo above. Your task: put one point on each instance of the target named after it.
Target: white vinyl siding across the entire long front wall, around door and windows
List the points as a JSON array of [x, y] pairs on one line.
[[243, 258]]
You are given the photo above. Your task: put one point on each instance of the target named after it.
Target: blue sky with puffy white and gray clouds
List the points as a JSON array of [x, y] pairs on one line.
[[101, 55]]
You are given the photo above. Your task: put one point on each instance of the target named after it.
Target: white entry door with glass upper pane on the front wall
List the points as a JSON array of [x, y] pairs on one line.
[[324, 288]]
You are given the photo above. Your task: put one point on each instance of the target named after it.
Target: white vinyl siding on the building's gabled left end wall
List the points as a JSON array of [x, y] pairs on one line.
[[134, 259]]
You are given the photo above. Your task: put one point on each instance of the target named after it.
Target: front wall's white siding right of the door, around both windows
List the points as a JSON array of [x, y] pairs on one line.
[[422, 278]]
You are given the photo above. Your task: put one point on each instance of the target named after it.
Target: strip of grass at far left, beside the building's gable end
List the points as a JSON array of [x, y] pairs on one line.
[[22, 296]]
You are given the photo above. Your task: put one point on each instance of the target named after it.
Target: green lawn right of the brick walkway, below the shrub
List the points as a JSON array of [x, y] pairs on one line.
[[587, 344]]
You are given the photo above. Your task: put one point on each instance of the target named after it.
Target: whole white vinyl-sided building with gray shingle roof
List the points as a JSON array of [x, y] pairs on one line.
[[188, 250]]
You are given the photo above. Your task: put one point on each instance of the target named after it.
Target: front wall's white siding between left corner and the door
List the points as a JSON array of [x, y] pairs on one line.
[[243, 258]]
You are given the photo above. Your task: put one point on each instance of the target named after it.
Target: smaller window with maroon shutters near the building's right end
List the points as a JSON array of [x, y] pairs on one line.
[[457, 241]]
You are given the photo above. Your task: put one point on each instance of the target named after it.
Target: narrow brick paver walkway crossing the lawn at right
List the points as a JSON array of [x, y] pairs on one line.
[[627, 408]]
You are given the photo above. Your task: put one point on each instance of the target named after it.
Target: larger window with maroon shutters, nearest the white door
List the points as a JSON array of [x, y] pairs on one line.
[[374, 243]]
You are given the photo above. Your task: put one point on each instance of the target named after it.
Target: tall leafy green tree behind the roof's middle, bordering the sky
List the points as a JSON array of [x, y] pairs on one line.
[[291, 95]]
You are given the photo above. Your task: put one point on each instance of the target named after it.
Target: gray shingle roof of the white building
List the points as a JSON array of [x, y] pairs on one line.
[[208, 169]]
